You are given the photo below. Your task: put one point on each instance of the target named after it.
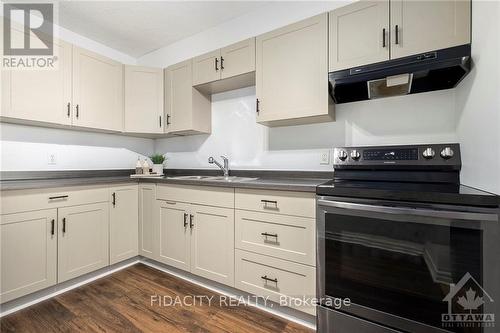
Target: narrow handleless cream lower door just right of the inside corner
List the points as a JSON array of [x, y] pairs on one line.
[[147, 199]]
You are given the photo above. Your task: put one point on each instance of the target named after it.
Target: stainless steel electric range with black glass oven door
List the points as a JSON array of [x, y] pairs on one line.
[[404, 245]]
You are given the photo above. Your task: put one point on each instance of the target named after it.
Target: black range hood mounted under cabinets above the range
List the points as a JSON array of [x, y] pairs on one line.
[[436, 70]]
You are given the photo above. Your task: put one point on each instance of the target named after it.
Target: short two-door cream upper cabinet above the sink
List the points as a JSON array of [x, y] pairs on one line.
[[231, 67]]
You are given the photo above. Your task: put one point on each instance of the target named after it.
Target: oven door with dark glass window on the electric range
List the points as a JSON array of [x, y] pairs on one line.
[[397, 262]]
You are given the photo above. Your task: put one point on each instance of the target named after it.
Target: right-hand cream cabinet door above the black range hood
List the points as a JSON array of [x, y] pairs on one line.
[[421, 26]]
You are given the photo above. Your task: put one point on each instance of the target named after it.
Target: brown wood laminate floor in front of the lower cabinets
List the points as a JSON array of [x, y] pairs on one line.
[[121, 302]]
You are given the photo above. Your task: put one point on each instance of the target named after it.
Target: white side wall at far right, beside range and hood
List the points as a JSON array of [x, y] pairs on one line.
[[478, 102]]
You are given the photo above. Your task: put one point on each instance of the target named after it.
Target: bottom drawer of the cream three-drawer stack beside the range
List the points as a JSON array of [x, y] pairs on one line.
[[280, 280]]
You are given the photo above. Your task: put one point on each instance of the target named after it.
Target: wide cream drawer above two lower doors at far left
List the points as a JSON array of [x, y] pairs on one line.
[[28, 200]]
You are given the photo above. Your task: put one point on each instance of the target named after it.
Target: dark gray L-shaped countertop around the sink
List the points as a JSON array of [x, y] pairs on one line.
[[303, 181]]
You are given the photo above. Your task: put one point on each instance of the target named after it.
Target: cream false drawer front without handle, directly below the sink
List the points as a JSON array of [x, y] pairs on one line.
[[202, 195]]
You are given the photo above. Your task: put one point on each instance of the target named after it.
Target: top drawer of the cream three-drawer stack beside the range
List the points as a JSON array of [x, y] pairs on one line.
[[280, 202]]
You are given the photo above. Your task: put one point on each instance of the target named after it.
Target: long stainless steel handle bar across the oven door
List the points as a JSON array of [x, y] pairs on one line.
[[446, 214]]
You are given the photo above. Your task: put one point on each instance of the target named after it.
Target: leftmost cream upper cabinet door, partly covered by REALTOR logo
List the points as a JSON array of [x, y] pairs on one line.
[[39, 95]]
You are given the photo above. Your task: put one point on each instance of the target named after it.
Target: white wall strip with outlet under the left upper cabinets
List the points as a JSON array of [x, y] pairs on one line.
[[24, 148]]
